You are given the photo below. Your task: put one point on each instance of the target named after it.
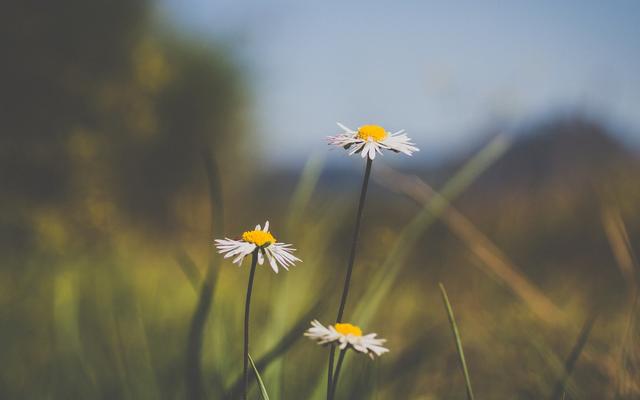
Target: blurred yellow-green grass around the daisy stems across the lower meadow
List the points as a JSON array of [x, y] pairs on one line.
[[112, 321]]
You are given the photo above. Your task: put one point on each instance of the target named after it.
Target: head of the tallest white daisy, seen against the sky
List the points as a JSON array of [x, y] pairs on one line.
[[371, 139]]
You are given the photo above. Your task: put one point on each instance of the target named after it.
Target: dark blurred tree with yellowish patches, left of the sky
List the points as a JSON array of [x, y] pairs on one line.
[[101, 113]]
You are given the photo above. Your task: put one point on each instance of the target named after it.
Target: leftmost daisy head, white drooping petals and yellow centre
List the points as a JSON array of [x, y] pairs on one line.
[[261, 239]]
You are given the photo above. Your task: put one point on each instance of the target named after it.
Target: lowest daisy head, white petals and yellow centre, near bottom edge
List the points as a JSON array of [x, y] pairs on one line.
[[346, 335]]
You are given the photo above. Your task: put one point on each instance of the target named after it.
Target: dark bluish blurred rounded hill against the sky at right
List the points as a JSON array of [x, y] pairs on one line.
[[569, 151]]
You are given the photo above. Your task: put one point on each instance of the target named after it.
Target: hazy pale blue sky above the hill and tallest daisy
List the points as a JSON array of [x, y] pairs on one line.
[[444, 71]]
